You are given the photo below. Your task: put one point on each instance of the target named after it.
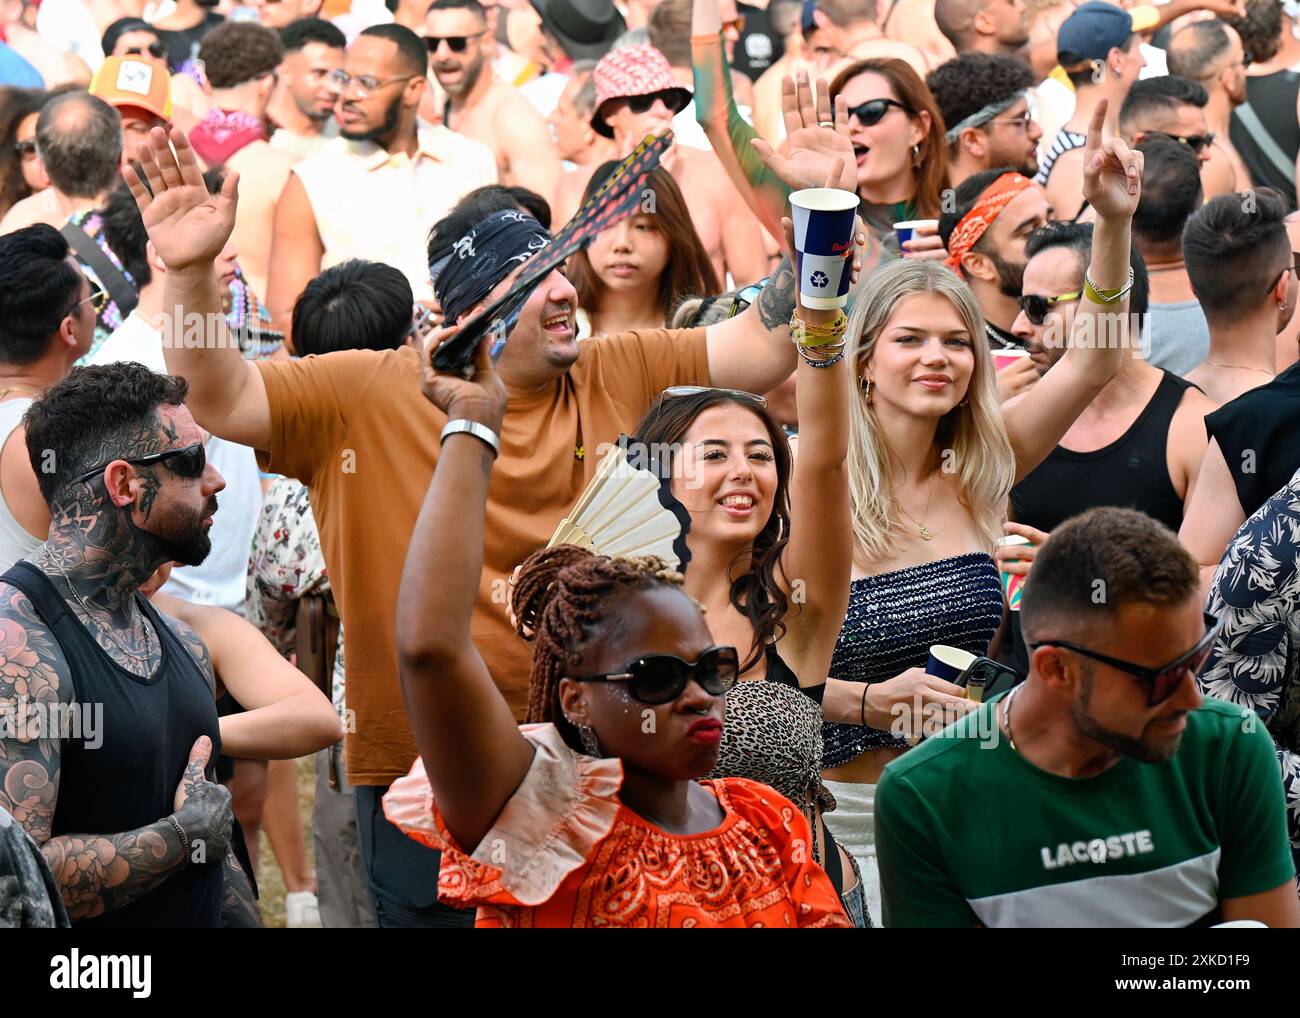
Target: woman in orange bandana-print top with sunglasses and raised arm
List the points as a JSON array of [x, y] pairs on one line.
[[591, 816]]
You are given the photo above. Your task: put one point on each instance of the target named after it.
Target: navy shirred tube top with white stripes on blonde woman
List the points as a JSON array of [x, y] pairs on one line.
[[892, 621]]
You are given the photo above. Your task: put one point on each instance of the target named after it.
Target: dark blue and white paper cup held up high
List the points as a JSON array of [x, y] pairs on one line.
[[824, 245]]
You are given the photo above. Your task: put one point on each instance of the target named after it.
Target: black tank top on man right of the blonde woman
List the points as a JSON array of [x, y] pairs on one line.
[[1132, 473]]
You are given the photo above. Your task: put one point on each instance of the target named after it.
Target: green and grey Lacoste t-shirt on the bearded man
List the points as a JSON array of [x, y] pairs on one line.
[[968, 831]]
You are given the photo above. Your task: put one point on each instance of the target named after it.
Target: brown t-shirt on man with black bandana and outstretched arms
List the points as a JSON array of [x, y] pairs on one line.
[[357, 431]]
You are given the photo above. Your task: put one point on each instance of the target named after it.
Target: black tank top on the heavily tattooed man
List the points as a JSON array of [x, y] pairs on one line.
[[129, 781]]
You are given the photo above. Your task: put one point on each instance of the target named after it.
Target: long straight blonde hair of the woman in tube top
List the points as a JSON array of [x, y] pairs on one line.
[[974, 435]]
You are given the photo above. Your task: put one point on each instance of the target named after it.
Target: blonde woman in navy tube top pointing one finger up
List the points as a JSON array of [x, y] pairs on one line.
[[933, 458]]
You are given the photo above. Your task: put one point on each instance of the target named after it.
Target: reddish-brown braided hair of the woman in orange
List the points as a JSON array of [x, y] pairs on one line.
[[560, 600]]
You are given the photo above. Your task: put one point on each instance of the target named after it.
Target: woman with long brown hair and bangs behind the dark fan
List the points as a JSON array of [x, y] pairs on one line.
[[635, 272]]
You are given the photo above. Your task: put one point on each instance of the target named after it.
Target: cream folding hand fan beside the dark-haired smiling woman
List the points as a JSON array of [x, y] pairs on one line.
[[627, 510]]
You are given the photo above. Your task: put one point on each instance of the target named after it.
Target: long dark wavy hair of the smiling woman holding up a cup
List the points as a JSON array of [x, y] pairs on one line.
[[757, 594]]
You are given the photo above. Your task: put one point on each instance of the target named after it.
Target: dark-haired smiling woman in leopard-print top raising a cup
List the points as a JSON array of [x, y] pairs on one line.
[[774, 581]]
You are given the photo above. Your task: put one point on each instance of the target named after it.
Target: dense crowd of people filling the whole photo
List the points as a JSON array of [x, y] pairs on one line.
[[257, 551]]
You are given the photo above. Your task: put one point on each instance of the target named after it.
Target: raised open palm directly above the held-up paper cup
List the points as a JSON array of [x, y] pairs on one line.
[[812, 151]]
